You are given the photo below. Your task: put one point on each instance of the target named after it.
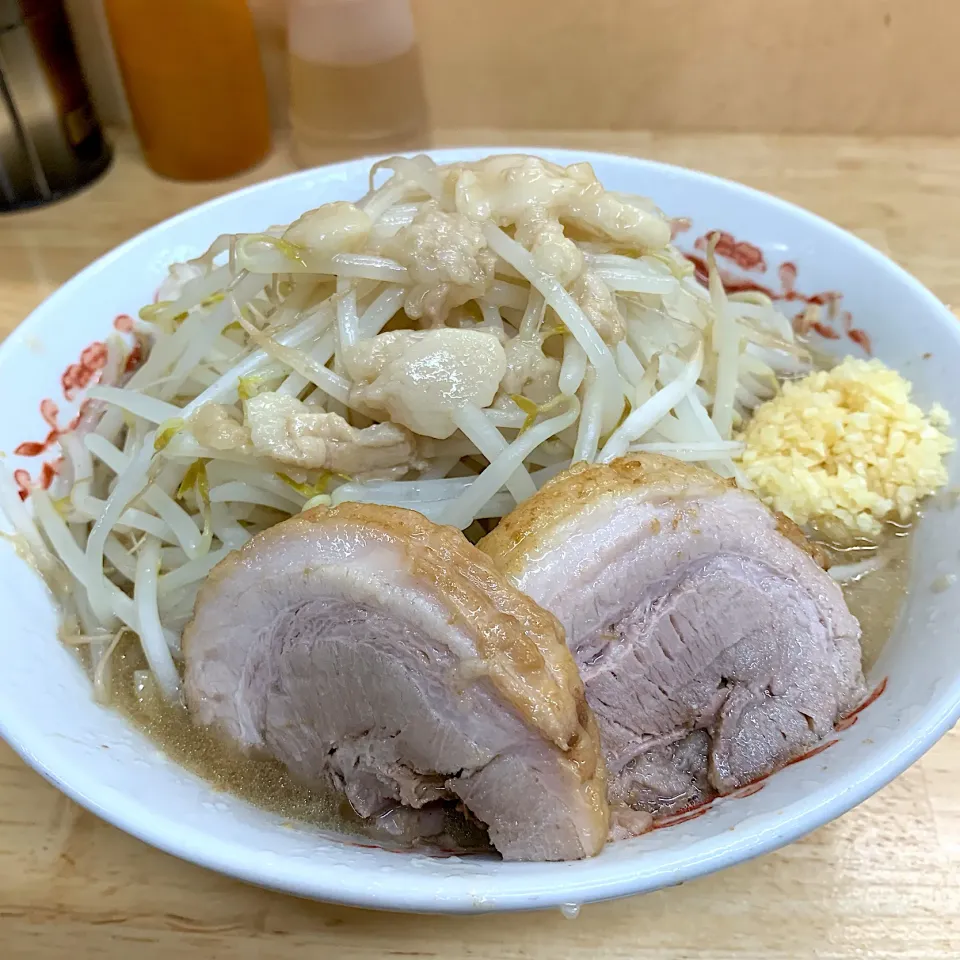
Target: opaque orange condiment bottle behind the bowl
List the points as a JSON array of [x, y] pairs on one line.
[[192, 73]]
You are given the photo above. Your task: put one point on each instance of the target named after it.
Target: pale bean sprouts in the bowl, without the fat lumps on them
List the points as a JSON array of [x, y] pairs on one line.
[[142, 511]]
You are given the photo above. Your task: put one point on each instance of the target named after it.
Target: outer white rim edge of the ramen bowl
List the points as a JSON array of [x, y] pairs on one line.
[[517, 886]]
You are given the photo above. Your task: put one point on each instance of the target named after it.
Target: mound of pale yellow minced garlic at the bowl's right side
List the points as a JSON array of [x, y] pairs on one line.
[[846, 443]]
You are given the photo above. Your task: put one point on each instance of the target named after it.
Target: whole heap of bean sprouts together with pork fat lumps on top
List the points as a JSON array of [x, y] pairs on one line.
[[174, 466]]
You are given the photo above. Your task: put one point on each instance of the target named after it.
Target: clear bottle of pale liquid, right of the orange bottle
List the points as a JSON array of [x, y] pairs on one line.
[[355, 80]]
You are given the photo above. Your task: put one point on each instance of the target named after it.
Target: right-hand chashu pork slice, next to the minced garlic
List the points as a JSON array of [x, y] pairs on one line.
[[713, 646]]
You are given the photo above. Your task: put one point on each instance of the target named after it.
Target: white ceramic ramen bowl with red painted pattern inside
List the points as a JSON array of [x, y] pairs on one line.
[[48, 716]]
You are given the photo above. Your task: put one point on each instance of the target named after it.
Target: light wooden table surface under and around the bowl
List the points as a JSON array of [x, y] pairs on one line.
[[883, 881]]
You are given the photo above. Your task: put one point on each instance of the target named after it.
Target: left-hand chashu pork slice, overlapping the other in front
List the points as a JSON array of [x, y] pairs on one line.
[[373, 651]]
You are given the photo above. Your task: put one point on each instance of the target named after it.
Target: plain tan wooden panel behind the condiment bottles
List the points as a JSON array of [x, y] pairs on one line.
[[815, 66]]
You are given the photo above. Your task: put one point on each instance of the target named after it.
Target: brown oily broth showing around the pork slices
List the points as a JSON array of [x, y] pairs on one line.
[[874, 598]]
